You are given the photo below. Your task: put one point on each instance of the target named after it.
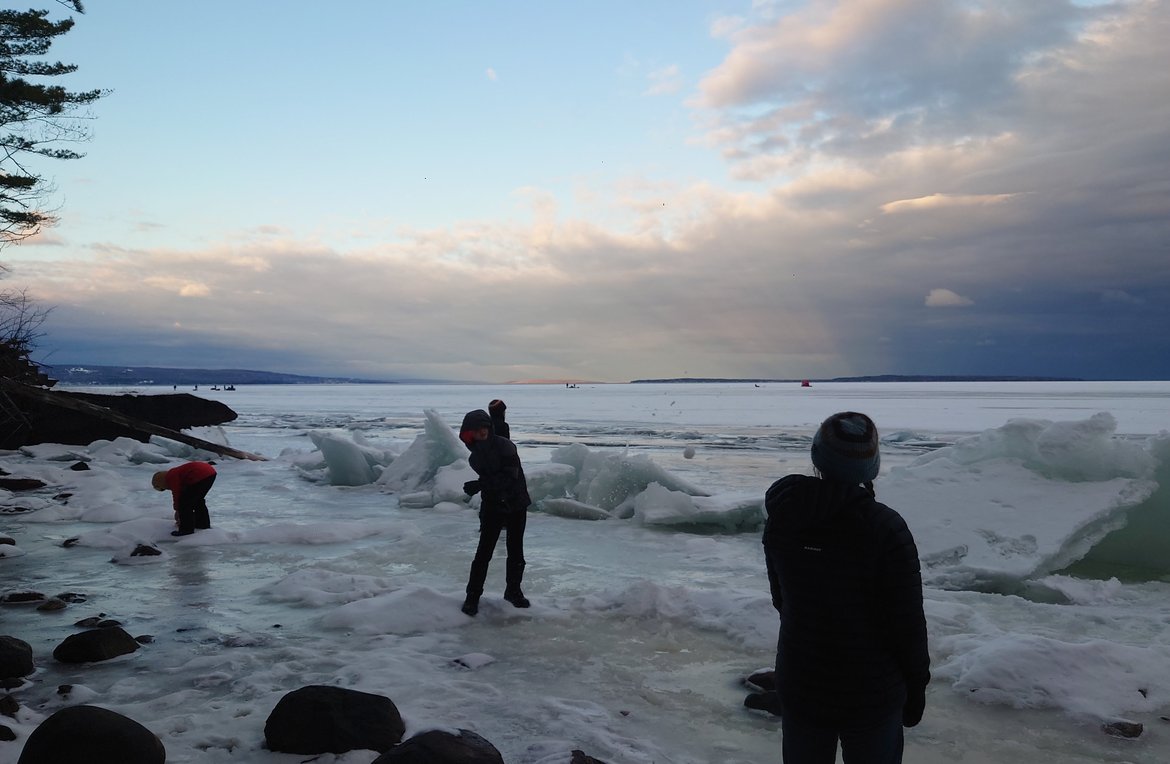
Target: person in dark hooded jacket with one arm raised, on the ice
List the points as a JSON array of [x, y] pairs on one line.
[[504, 507]]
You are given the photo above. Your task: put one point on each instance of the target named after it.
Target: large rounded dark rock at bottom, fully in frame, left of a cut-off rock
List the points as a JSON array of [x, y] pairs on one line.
[[333, 720]]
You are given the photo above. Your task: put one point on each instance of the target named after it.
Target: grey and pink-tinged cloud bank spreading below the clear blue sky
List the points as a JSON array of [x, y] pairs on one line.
[[1014, 152]]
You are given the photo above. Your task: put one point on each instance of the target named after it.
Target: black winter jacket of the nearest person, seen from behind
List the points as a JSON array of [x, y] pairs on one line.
[[845, 577]]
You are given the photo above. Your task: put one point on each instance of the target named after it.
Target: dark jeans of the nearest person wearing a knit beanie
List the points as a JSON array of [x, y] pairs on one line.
[[880, 744]]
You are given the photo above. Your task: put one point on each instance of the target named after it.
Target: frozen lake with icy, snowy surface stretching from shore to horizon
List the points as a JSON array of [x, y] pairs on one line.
[[639, 635]]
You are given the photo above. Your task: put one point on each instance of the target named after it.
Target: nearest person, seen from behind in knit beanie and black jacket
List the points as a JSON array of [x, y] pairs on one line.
[[852, 664]]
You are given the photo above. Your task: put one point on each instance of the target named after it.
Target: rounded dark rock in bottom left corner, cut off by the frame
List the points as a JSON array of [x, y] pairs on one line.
[[92, 735]]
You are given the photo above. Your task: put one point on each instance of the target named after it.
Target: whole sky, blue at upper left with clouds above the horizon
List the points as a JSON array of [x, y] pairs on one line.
[[614, 190]]
